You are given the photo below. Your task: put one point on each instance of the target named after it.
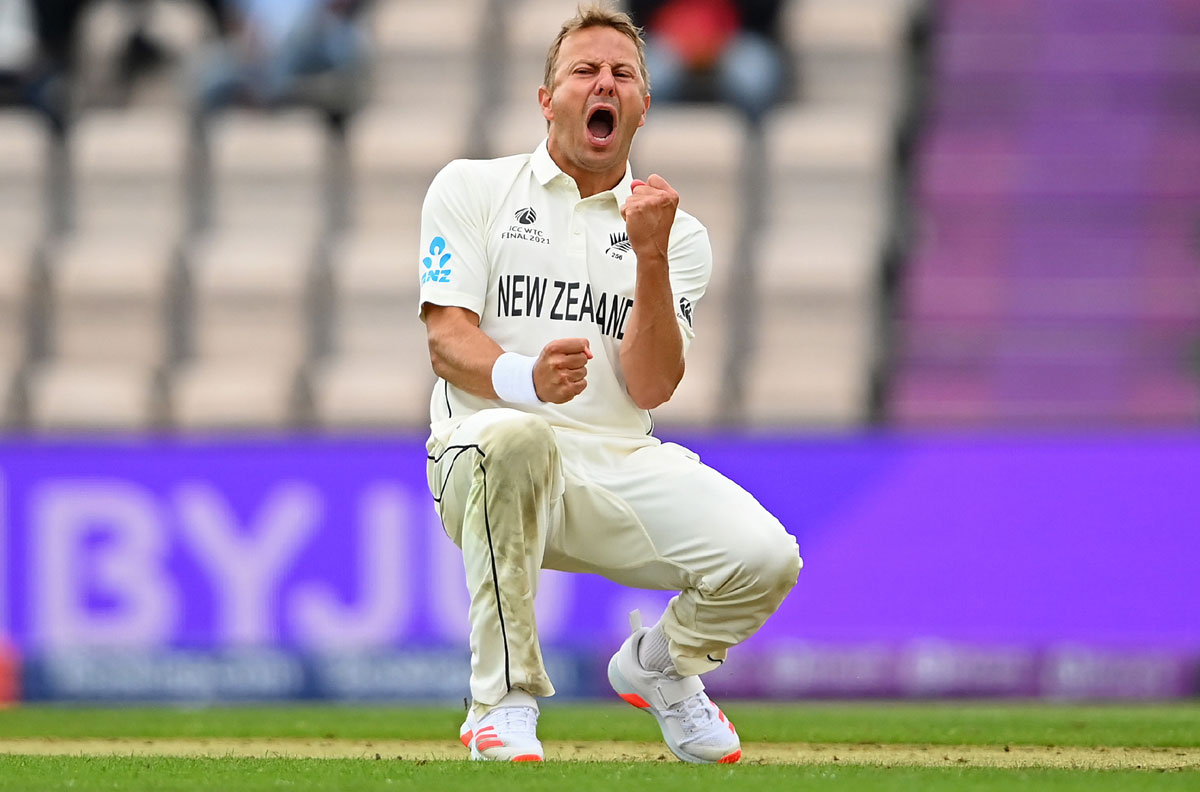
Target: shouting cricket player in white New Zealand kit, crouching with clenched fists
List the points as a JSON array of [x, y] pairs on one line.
[[559, 297]]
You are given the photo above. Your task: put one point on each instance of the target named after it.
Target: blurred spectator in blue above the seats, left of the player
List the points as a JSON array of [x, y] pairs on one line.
[[279, 49]]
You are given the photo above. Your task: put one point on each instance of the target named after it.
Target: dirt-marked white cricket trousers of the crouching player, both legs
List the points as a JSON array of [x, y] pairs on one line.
[[518, 497]]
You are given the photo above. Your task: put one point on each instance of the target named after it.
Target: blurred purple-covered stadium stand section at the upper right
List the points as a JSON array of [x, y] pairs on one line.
[[1054, 275]]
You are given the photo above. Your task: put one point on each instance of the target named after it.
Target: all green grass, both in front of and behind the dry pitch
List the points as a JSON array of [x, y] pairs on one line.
[[986, 724]]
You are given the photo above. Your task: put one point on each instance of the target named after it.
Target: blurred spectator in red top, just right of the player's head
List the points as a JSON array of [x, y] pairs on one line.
[[728, 51]]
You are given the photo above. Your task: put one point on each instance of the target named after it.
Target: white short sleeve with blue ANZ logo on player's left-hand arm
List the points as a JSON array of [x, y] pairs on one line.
[[453, 261]]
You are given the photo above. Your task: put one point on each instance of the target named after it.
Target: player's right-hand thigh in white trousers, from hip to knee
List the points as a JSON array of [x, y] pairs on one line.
[[662, 519]]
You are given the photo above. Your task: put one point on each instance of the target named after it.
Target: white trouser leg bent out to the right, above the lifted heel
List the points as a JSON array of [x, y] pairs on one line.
[[686, 527]]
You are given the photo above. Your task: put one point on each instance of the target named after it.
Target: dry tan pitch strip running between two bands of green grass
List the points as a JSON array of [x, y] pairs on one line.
[[889, 755]]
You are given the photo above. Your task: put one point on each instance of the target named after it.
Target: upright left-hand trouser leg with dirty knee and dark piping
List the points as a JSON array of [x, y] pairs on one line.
[[499, 484]]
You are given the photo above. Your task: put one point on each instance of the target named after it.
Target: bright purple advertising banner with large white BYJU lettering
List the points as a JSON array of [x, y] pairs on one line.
[[1023, 549]]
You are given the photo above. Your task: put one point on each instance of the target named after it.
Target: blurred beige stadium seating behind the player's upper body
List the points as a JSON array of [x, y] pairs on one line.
[[289, 304]]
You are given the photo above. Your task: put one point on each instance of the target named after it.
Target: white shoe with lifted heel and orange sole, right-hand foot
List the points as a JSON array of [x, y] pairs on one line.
[[695, 730]]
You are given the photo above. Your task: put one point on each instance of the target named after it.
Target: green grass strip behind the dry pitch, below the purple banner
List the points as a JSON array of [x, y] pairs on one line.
[[944, 724]]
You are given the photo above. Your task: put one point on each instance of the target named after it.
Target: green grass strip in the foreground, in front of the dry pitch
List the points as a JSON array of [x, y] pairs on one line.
[[254, 776]]
